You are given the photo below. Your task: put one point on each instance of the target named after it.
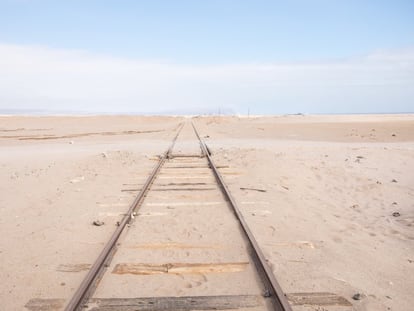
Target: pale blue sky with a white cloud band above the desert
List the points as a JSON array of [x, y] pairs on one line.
[[182, 56]]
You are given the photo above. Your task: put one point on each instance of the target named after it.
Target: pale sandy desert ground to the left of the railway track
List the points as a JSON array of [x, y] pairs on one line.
[[53, 189]]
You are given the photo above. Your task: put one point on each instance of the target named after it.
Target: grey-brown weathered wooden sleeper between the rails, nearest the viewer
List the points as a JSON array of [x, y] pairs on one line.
[[175, 303]]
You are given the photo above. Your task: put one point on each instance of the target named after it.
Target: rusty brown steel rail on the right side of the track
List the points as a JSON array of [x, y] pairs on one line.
[[272, 287]]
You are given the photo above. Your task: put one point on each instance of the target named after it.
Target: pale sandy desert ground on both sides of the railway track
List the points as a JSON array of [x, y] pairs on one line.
[[324, 215]]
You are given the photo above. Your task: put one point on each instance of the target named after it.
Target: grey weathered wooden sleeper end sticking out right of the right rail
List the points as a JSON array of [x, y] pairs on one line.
[[317, 299]]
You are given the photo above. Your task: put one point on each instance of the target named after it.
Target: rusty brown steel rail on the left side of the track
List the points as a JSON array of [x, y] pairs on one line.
[[85, 289]]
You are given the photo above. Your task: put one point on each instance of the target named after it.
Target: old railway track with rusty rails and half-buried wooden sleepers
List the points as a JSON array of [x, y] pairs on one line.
[[182, 245]]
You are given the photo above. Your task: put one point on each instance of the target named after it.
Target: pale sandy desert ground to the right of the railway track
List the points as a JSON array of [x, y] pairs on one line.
[[332, 185]]
